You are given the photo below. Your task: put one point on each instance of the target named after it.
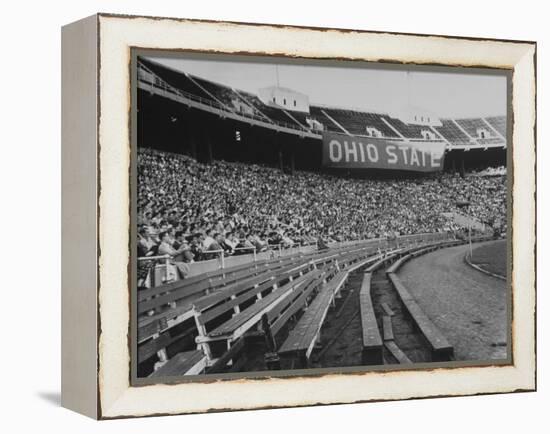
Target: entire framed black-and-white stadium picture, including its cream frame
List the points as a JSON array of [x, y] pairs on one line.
[[260, 216]]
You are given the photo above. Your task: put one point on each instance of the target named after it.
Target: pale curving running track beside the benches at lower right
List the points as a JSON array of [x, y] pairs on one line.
[[469, 307]]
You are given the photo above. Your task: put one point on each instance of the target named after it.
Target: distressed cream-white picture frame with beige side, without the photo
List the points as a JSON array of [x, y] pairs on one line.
[[96, 293]]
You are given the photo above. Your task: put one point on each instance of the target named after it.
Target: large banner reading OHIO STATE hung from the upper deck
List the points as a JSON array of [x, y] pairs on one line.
[[353, 152]]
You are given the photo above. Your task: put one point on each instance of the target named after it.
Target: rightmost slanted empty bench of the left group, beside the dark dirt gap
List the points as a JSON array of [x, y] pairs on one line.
[[303, 336]]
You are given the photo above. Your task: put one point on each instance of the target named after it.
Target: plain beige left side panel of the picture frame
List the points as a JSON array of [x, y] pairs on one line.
[[79, 183]]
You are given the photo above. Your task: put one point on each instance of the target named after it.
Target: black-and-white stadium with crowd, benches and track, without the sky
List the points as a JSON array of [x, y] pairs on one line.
[[277, 234]]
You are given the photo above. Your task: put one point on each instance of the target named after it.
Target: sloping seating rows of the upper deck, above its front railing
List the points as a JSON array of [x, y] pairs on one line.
[[455, 131]]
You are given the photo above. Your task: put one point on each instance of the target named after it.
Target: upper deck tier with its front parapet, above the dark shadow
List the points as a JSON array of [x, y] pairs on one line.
[[470, 133]]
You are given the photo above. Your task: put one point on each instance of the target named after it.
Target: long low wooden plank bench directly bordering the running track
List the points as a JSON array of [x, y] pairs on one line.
[[441, 349]]
